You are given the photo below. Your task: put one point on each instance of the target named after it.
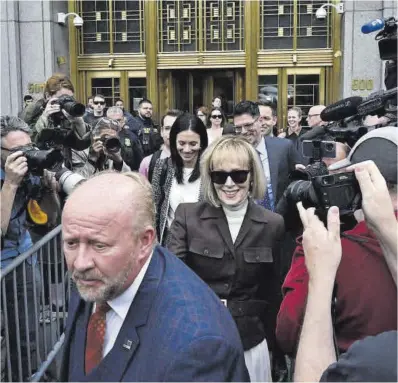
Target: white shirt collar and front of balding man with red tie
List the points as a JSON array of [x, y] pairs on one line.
[[119, 309]]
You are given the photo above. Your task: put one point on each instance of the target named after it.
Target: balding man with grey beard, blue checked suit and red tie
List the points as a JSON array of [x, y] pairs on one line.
[[141, 314]]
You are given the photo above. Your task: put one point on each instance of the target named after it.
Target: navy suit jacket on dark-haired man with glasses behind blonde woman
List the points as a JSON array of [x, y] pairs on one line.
[[282, 158]]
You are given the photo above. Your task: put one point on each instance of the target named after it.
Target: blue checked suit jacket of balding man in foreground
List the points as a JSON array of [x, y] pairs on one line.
[[176, 330]]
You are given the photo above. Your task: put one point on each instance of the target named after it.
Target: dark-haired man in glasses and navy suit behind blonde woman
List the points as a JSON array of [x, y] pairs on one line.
[[278, 156]]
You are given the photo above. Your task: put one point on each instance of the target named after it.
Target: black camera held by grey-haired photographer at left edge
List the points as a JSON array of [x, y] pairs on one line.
[[38, 160]]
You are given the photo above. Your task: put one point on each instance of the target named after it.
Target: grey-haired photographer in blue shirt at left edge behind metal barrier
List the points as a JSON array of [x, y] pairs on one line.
[[19, 188]]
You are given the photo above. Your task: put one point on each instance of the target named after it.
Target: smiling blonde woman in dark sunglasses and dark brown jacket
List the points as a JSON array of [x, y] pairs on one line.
[[232, 244]]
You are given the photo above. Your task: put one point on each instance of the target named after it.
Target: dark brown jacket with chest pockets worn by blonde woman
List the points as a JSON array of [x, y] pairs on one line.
[[245, 273]]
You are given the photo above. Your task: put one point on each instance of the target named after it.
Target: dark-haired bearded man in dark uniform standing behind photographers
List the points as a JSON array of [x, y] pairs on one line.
[[146, 130]]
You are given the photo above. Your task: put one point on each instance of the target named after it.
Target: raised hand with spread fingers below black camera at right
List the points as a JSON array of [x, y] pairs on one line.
[[322, 247]]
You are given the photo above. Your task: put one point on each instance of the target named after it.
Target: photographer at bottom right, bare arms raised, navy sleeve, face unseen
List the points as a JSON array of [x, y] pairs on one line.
[[371, 359]]
